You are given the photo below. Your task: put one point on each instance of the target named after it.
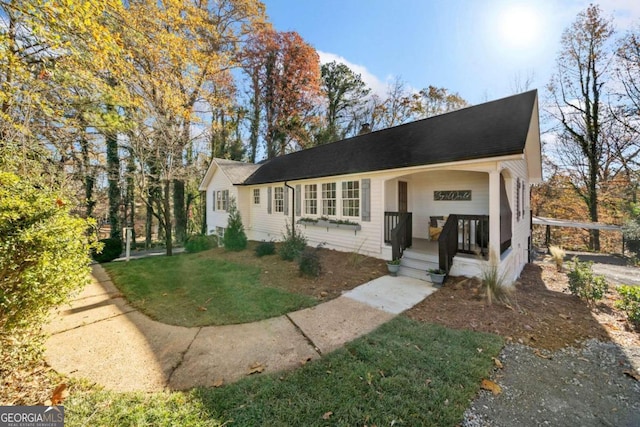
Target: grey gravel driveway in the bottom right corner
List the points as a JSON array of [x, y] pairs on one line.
[[569, 387]]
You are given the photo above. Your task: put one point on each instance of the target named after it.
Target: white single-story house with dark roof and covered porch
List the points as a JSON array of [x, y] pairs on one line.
[[450, 191]]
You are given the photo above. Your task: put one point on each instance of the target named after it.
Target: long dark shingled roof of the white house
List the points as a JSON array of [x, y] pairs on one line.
[[493, 129]]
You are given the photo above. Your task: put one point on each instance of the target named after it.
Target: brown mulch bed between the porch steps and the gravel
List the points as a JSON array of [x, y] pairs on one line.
[[541, 314]]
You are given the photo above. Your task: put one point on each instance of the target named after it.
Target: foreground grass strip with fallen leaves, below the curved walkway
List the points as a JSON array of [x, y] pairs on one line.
[[404, 373]]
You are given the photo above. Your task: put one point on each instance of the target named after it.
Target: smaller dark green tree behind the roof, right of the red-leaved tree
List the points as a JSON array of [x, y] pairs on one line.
[[346, 95]]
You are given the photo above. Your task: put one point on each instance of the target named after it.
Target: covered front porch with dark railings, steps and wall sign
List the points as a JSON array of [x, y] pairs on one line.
[[435, 218]]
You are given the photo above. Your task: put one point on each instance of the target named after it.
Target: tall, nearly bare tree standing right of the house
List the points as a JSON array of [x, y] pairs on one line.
[[578, 91]]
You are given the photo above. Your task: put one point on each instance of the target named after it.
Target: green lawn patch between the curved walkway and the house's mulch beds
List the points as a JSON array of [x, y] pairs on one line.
[[198, 290]]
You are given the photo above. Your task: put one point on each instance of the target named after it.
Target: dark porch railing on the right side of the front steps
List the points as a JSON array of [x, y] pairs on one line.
[[463, 234]]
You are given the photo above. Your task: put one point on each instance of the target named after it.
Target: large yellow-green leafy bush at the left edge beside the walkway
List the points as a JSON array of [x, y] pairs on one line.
[[43, 258]]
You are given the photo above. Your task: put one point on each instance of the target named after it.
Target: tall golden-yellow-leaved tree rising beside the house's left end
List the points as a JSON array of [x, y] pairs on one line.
[[179, 52]]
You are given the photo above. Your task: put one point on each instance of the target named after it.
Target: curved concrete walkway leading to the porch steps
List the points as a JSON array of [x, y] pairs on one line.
[[102, 338]]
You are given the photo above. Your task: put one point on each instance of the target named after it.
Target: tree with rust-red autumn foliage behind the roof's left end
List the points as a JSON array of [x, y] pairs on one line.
[[284, 74]]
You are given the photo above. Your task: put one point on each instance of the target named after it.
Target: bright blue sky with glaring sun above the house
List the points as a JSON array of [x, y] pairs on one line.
[[473, 47]]
